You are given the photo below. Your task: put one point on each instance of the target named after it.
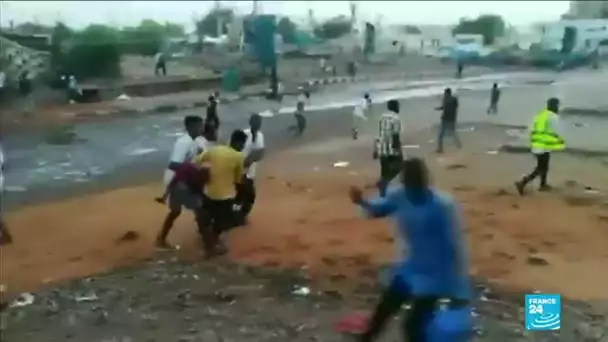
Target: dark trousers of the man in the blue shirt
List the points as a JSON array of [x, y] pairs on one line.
[[391, 301]]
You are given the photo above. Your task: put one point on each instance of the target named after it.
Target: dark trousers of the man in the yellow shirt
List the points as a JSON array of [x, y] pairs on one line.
[[217, 217]]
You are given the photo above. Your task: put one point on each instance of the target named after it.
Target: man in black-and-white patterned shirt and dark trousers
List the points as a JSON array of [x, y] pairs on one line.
[[388, 146]]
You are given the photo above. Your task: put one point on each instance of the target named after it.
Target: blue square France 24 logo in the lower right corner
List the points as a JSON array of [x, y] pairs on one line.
[[543, 312]]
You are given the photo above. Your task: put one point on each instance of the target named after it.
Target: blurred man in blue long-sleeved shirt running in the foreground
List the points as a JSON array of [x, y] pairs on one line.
[[435, 265]]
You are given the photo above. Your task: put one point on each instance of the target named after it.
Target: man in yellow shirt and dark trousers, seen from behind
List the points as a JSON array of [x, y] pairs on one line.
[[225, 169]]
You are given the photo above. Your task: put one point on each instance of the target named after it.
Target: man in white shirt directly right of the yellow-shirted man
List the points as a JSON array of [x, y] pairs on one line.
[[253, 151]]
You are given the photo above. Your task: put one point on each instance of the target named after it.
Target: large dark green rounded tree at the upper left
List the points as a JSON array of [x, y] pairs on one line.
[[94, 52]]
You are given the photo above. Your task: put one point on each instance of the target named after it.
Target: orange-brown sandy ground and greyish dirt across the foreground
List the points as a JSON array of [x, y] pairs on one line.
[[303, 221]]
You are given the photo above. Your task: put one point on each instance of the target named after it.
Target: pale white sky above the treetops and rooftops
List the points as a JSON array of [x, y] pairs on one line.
[[82, 13]]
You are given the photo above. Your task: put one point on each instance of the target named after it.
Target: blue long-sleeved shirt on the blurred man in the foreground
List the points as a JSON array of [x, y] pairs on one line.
[[436, 263]]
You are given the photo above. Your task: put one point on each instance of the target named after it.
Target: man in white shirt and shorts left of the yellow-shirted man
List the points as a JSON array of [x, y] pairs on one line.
[[178, 193]]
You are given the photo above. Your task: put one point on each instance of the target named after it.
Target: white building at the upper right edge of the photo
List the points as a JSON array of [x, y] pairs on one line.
[[589, 33]]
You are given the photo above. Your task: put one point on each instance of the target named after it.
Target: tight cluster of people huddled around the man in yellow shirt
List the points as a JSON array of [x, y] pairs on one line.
[[215, 181]]
